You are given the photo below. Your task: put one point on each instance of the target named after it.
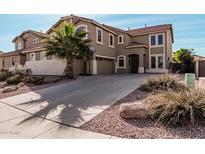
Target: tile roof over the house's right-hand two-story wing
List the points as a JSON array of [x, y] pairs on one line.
[[149, 29]]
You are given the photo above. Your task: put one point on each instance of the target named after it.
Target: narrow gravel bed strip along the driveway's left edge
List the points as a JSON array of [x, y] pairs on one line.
[[30, 87]]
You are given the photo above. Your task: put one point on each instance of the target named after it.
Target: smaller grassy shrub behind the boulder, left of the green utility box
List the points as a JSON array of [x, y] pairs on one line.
[[162, 82]]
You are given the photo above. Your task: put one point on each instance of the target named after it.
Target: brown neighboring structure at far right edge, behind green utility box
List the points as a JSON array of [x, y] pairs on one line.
[[199, 66]]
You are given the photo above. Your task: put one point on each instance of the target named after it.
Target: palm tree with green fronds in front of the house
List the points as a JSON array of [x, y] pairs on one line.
[[67, 44]]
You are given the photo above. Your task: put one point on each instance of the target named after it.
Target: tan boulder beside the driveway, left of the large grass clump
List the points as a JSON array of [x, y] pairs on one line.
[[133, 110]]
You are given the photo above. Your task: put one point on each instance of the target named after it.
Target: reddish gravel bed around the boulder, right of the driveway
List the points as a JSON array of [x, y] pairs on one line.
[[109, 122]]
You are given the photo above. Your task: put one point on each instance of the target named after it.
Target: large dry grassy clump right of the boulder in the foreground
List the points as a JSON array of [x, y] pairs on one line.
[[177, 108]]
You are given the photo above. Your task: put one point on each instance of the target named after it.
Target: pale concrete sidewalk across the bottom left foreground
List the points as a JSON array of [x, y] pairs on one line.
[[13, 125]]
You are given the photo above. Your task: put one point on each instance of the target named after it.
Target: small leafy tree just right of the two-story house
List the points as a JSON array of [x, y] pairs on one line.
[[185, 57]]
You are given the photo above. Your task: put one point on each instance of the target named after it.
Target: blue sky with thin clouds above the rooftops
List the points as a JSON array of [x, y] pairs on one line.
[[189, 30]]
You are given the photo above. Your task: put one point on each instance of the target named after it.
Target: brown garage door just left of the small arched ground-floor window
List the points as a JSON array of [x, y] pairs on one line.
[[105, 66]]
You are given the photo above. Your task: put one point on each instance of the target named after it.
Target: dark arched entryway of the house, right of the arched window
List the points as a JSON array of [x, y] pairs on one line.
[[133, 63]]
